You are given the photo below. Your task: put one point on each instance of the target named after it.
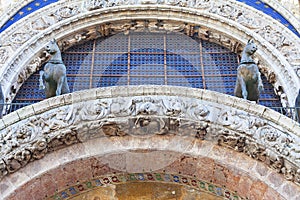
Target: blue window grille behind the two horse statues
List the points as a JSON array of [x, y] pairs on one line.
[[140, 58]]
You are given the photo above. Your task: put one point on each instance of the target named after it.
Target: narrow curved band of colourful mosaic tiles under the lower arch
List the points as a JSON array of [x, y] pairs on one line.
[[115, 179]]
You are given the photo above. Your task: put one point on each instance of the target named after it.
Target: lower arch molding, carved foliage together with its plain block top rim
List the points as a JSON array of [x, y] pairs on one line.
[[265, 135]]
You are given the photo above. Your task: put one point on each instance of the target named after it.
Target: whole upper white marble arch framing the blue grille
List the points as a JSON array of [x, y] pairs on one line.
[[227, 23]]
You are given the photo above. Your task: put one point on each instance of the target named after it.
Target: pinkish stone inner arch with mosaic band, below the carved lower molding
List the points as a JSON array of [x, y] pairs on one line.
[[102, 166]]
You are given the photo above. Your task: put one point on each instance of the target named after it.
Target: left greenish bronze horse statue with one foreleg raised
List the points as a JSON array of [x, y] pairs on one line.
[[53, 79]]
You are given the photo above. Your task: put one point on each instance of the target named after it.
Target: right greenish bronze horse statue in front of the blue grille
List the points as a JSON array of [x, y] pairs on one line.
[[248, 83]]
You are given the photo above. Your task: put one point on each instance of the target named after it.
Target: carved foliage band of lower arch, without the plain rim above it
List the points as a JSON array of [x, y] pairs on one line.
[[146, 116]]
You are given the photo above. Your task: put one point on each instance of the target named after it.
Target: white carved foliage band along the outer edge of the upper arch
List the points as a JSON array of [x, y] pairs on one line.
[[231, 11]]
